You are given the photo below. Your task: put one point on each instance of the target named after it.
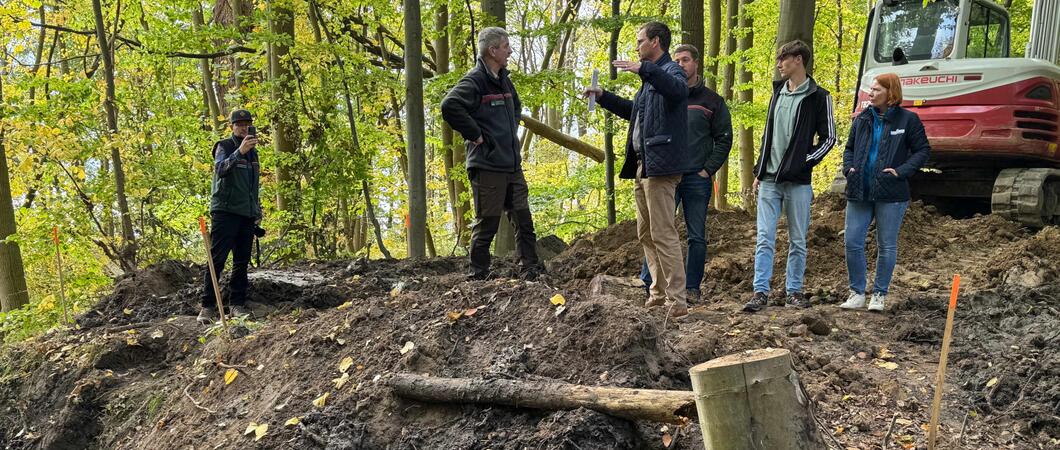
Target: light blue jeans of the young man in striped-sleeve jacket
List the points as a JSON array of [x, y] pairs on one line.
[[794, 202]]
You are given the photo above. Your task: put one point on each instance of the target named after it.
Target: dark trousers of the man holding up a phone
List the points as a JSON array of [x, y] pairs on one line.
[[229, 233]]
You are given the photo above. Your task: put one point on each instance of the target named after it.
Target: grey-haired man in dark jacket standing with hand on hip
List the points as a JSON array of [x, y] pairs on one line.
[[486, 110]]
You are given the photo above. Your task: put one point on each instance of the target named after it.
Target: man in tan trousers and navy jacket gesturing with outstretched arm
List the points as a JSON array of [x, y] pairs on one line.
[[657, 157]]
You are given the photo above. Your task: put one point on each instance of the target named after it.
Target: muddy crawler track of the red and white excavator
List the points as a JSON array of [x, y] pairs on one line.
[[1030, 196]]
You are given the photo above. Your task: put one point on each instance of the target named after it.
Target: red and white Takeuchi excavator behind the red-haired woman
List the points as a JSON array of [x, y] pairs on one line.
[[992, 119]]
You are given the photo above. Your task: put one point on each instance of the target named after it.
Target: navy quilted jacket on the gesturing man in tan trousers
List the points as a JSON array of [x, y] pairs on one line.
[[662, 104]]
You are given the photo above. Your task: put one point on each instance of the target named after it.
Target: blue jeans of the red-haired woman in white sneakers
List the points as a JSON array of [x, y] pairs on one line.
[[889, 222]]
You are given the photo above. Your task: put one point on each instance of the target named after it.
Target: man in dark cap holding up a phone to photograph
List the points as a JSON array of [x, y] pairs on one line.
[[236, 211]]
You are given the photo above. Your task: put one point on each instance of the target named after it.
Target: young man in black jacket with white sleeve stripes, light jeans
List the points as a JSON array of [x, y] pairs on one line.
[[799, 112]]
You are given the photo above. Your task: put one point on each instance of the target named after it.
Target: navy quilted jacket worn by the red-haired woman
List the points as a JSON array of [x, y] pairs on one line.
[[904, 147]]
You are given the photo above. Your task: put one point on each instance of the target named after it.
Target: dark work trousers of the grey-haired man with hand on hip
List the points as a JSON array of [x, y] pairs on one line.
[[497, 193]]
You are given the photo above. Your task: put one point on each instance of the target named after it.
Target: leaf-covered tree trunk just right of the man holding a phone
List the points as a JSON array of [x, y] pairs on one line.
[[286, 134]]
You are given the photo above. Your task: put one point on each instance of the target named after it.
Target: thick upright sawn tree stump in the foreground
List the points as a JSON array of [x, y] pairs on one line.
[[754, 401]]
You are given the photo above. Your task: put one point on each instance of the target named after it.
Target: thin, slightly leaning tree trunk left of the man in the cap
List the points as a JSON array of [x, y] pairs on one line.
[[129, 248]]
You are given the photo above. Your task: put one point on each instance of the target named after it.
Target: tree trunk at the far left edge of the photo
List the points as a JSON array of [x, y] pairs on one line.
[[13, 291]]
